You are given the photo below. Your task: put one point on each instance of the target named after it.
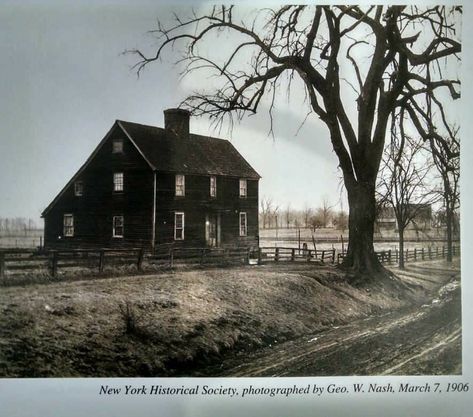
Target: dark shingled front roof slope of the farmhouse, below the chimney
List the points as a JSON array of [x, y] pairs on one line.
[[199, 155]]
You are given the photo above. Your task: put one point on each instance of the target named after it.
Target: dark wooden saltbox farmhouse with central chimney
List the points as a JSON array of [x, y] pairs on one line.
[[145, 186]]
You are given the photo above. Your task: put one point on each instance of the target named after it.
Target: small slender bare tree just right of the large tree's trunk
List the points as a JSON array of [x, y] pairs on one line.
[[404, 185]]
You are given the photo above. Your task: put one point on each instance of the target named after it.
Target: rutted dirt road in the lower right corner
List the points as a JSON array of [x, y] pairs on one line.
[[420, 340]]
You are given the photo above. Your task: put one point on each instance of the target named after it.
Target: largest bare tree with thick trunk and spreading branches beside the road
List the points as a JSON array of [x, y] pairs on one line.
[[390, 50]]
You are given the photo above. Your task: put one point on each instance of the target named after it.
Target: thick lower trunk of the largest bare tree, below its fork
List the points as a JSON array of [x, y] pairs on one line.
[[361, 257]]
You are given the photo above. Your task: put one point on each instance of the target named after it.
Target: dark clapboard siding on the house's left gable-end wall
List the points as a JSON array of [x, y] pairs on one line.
[[94, 210]]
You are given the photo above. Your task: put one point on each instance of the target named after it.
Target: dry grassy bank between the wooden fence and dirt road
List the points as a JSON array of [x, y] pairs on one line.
[[172, 324]]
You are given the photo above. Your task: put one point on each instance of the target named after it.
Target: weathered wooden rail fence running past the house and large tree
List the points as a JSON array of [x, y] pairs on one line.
[[24, 261]]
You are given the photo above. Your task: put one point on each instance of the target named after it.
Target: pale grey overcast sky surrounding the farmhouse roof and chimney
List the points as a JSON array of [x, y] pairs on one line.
[[64, 80]]
